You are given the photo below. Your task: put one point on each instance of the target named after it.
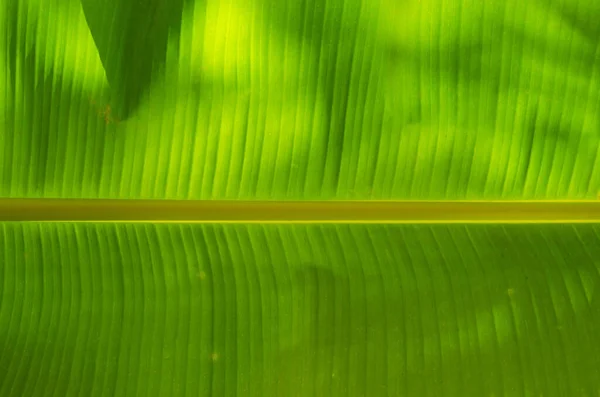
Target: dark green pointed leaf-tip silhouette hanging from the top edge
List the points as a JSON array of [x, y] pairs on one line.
[[132, 36]]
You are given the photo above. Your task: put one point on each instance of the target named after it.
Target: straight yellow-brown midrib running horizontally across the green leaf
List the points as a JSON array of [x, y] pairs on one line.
[[223, 211]]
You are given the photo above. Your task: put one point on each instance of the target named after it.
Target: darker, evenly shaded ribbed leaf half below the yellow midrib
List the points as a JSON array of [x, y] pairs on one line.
[[174, 310]]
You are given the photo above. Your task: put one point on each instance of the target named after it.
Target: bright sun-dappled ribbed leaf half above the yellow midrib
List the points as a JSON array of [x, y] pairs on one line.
[[309, 99]]
